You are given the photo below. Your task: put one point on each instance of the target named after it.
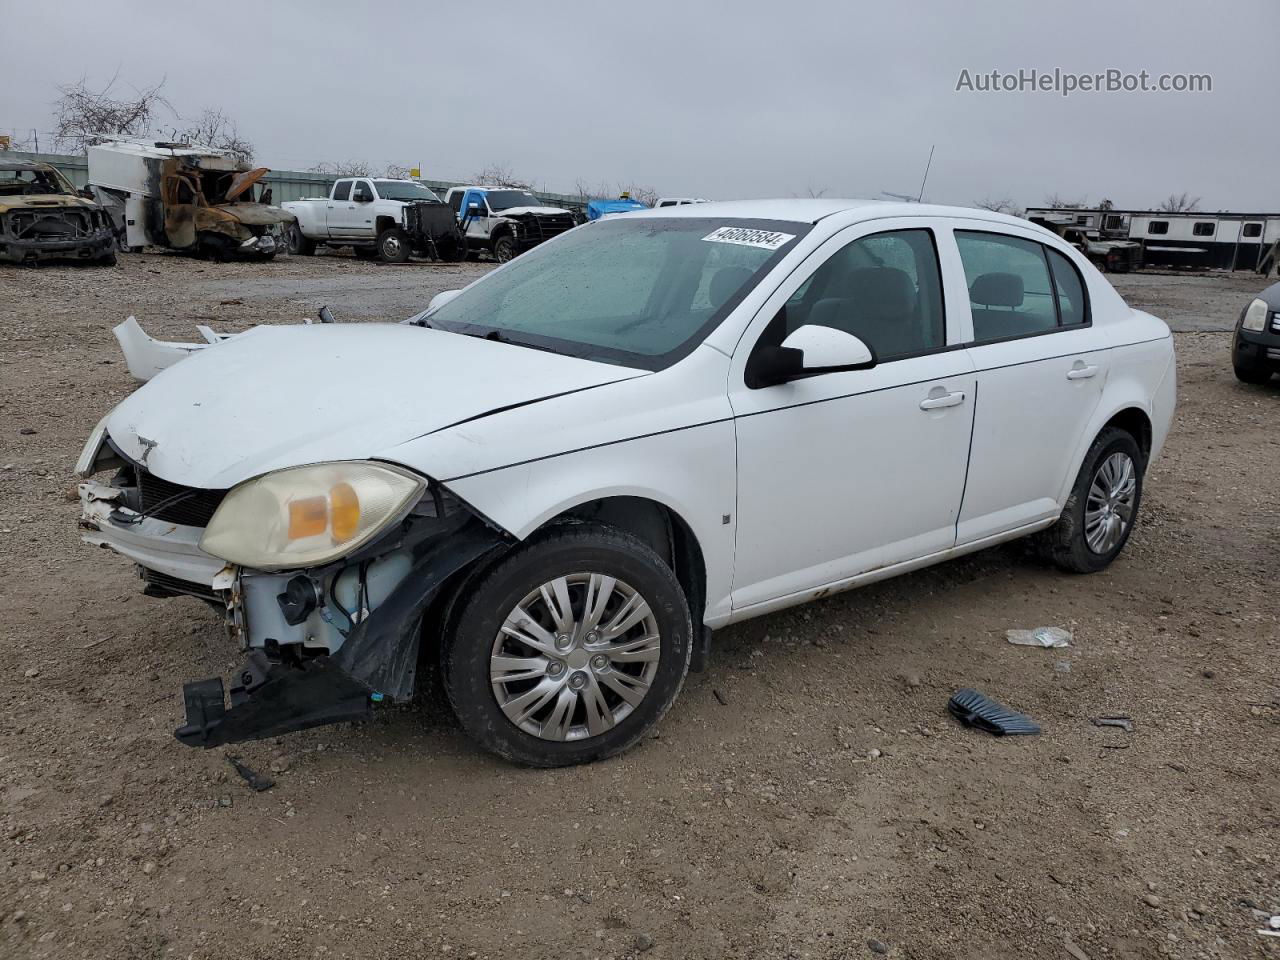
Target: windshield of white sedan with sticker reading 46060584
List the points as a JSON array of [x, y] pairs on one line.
[[641, 292]]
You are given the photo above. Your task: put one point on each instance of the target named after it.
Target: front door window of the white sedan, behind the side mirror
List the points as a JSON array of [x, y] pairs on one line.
[[885, 290]]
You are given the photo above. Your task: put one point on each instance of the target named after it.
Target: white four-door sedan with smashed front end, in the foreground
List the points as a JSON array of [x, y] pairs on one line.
[[554, 484]]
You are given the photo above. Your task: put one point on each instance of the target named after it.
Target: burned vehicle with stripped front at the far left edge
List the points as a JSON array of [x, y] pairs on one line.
[[44, 218]]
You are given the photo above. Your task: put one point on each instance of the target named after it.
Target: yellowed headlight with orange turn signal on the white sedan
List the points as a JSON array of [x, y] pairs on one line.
[[309, 516]]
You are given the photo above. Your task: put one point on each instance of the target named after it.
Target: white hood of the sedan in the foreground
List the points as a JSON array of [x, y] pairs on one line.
[[284, 396]]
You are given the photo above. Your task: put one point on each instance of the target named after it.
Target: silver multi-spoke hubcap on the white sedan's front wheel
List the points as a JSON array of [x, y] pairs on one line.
[[575, 657]]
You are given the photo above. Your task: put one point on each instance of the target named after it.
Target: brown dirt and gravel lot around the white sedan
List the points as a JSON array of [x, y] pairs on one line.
[[761, 824]]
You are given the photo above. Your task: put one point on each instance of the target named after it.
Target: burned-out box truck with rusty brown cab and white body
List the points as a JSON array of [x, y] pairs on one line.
[[188, 198]]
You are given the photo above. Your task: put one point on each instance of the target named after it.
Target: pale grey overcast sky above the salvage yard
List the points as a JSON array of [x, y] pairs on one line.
[[726, 100]]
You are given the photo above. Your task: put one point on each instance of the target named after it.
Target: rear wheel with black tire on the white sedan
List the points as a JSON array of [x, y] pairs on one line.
[[1073, 543]]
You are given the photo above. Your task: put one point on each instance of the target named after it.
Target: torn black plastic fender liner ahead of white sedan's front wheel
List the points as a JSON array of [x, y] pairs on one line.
[[378, 661]]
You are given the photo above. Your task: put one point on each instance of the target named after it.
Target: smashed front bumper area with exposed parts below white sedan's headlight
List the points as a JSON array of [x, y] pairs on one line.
[[323, 644]]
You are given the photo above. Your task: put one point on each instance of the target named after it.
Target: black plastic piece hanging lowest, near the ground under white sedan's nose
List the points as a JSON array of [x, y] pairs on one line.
[[272, 700]]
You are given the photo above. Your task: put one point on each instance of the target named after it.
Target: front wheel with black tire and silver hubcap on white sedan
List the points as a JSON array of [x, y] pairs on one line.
[[572, 557]]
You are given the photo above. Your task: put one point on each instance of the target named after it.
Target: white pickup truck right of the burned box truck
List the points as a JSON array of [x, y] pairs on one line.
[[383, 218]]
